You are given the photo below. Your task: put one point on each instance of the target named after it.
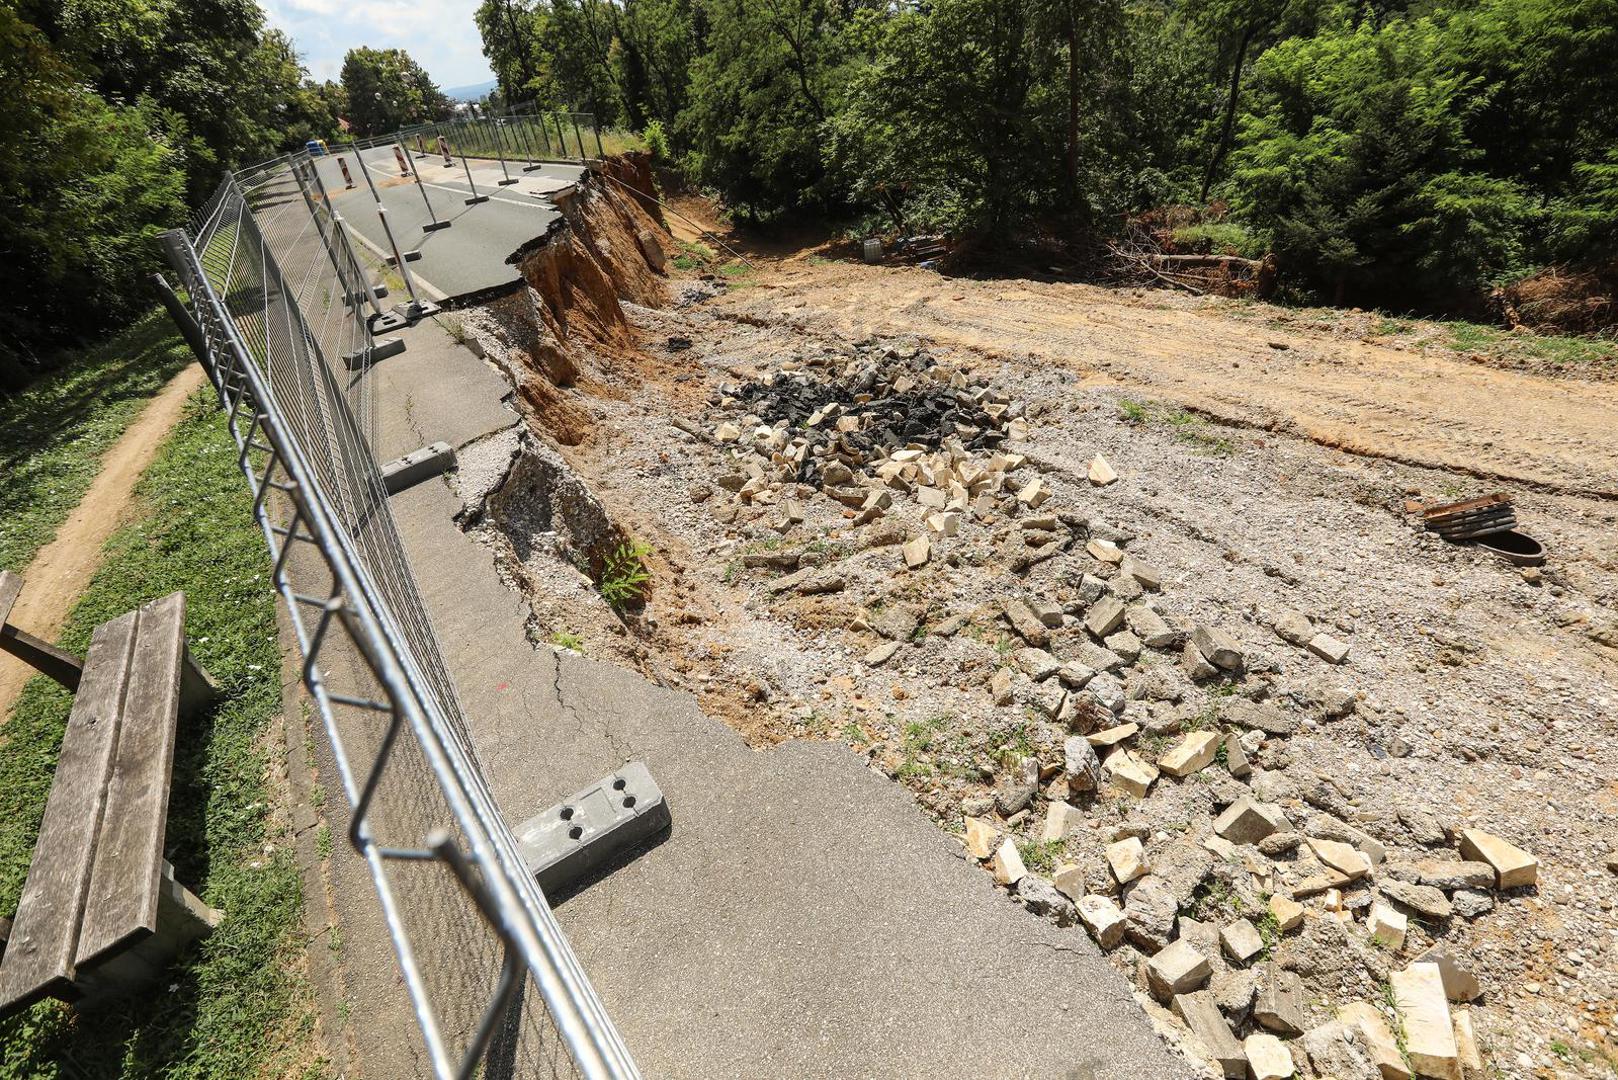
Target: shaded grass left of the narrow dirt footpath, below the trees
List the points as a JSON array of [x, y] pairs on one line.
[[56, 432]]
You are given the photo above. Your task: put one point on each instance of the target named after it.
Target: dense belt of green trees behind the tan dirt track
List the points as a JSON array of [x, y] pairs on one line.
[[1391, 153]]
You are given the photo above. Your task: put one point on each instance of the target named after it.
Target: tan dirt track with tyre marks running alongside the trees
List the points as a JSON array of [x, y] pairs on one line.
[[1404, 404]]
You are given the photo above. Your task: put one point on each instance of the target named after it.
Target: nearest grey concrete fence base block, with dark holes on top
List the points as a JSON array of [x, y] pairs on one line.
[[593, 831]]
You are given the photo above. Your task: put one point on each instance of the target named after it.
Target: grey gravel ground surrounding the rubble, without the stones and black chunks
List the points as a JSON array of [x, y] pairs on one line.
[[1473, 695]]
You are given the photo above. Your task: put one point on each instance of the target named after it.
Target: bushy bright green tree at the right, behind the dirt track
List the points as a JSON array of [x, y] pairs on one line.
[[1357, 166]]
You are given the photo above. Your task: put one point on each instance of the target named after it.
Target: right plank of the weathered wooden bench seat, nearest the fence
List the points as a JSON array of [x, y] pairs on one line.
[[124, 893]]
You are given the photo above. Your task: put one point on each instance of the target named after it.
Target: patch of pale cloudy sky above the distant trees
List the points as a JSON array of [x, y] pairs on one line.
[[439, 35]]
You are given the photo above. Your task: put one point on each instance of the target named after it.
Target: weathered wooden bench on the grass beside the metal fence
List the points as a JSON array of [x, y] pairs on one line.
[[101, 912]]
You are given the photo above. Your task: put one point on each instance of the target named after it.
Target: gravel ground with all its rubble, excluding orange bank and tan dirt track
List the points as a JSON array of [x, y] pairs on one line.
[[1336, 796]]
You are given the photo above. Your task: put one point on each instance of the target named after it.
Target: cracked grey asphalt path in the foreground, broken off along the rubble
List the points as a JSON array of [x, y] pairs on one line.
[[803, 917]]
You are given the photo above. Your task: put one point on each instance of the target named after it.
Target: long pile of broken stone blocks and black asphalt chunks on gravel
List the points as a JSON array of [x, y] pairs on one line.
[[1156, 804]]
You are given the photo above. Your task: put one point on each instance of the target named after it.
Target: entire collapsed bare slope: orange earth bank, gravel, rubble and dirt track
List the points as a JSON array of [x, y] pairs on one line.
[[1040, 671]]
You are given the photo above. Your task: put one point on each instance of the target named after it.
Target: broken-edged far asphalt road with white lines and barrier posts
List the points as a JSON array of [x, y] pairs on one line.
[[470, 257]]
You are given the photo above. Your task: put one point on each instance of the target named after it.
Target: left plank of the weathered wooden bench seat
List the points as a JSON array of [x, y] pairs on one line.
[[46, 930]]
